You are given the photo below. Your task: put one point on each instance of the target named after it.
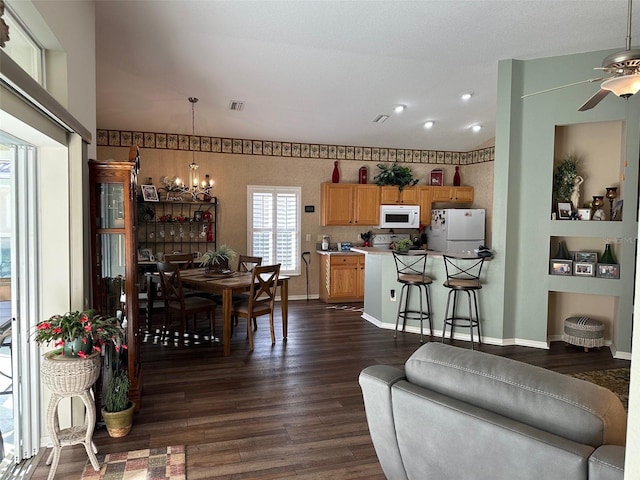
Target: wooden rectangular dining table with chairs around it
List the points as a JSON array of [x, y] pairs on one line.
[[227, 285]]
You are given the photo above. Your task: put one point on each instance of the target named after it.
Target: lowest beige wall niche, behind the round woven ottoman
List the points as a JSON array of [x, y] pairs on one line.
[[564, 305]]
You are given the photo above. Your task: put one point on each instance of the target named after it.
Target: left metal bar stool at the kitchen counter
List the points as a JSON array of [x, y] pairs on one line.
[[411, 270]]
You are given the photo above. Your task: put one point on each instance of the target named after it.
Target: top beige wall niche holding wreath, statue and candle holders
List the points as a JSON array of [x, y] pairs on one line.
[[599, 147]]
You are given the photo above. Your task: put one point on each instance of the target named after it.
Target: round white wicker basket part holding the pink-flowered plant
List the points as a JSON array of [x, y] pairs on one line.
[[69, 375]]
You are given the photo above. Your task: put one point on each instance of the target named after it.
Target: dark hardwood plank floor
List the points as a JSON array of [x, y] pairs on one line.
[[289, 411]]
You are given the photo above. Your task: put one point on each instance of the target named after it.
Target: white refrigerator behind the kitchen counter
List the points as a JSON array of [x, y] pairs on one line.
[[456, 230]]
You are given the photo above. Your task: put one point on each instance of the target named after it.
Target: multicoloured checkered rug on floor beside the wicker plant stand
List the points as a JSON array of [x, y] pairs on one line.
[[166, 463]]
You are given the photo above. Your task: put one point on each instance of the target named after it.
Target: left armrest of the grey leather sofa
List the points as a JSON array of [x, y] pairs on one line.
[[376, 382]]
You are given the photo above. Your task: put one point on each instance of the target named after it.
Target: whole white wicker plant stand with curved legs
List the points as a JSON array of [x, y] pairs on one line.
[[71, 377]]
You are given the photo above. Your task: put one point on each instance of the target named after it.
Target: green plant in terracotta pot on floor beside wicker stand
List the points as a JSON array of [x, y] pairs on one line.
[[117, 410]]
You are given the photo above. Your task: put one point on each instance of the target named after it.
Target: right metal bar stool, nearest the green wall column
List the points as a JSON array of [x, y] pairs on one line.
[[463, 275]]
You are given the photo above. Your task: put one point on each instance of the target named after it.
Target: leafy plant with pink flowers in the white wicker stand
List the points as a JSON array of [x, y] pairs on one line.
[[90, 329]]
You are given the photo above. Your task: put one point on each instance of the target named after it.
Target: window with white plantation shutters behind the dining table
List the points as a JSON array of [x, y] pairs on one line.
[[273, 226]]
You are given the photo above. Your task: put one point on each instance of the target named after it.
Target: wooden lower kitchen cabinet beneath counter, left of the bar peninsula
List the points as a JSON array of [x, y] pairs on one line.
[[341, 278]]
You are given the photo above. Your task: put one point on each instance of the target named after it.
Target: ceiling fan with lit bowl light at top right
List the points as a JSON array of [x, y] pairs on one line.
[[624, 68]]
